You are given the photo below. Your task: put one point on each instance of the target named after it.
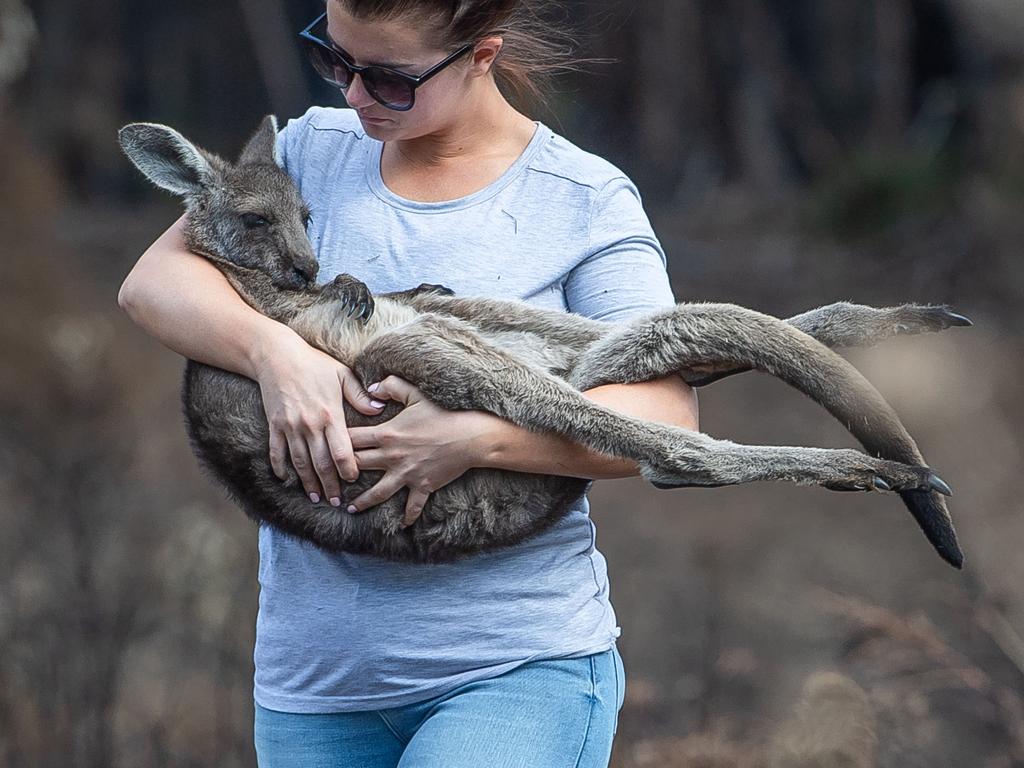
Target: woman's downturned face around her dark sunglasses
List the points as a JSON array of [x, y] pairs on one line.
[[401, 45]]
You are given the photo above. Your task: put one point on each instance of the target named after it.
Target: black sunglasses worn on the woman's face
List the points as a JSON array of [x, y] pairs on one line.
[[391, 89]]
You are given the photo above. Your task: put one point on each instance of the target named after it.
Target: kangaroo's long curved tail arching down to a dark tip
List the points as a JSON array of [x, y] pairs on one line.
[[716, 336]]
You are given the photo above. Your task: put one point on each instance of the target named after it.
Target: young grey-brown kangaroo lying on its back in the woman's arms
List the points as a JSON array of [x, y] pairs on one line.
[[523, 364]]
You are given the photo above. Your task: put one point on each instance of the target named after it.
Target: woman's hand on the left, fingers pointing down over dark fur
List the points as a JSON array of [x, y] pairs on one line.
[[304, 390]]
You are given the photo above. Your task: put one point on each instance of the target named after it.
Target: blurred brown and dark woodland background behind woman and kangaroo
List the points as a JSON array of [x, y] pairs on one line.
[[791, 154]]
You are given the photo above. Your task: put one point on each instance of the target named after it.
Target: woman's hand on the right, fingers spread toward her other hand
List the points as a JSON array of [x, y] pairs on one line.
[[423, 448]]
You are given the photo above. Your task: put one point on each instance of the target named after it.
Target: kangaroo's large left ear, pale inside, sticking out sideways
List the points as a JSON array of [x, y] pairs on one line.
[[166, 158]]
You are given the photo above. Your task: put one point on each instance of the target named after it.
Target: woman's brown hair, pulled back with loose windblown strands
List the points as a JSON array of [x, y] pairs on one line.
[[537, 47]]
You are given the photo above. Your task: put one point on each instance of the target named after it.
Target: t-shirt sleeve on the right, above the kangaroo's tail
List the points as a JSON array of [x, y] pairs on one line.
[[624, 274]]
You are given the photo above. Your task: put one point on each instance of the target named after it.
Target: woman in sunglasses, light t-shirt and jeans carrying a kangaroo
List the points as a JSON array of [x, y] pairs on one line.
[[505, 659]]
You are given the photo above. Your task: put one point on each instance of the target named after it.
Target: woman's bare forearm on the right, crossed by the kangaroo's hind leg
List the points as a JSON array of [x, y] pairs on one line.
[[668, 401]]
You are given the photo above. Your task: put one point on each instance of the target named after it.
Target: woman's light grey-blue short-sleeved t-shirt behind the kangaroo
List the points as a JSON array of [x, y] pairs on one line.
[[563, 230]]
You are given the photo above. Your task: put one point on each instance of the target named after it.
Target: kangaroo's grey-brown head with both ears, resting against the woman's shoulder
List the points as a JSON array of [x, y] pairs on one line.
[[249, 215]]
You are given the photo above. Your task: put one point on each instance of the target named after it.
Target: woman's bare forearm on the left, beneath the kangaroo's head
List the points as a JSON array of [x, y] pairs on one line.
[[188, 305]]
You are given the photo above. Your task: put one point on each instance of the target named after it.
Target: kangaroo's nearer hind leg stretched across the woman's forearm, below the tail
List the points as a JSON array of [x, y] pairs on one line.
[[459, 371]]
